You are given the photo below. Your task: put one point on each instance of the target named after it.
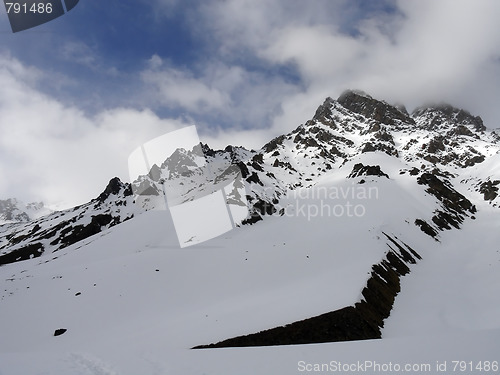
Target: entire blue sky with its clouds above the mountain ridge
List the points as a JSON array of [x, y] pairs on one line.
[[78, 94]]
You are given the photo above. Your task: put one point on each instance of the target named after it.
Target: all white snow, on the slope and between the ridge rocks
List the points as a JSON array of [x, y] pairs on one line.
[[133, 302]]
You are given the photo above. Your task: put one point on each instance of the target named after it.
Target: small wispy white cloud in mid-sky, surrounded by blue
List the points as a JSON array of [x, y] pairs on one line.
[[229, 94]]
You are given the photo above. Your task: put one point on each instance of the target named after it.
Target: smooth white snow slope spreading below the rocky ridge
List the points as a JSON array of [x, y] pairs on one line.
[[144, 302]]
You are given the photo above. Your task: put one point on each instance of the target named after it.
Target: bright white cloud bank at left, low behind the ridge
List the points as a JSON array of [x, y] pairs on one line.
[[58, 154]]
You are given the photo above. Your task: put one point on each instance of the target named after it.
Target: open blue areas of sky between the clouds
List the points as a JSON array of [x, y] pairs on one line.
[[102, 47]]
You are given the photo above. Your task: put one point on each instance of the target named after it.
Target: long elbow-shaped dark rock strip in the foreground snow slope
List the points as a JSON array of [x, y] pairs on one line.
[[359, 322]]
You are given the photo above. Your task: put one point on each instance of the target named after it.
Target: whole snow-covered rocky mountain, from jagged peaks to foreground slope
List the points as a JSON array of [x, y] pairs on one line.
[[363, 219]]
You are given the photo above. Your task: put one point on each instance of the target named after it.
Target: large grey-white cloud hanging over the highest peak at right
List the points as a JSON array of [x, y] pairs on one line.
[[422, 51]]
